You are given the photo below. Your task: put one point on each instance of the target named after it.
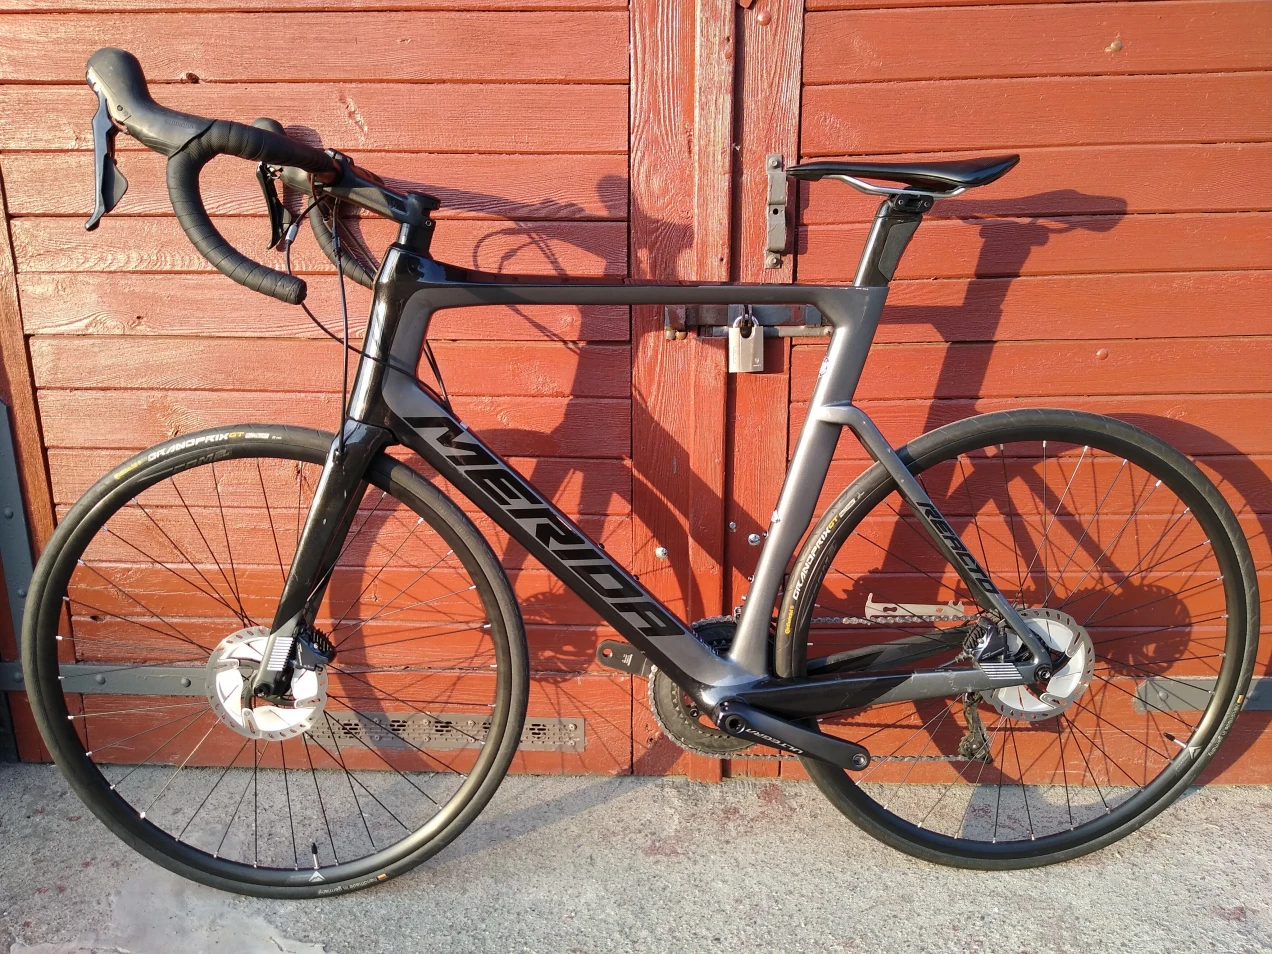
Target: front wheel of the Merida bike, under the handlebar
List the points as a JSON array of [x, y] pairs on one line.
[[152, 604]]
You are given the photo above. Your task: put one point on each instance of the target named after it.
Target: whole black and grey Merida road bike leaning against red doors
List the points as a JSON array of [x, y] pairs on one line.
[[287, 663]]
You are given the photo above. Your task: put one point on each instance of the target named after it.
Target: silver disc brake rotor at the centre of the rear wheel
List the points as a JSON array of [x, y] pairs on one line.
[[1063, 634]]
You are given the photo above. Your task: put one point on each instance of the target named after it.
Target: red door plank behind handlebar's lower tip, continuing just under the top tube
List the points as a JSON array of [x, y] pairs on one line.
[[105, 303]]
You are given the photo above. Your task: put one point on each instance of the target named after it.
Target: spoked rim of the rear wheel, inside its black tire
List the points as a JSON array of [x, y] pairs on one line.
[[1145, 581]]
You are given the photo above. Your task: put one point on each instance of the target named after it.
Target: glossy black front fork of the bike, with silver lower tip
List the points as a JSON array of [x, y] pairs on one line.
[[331, 516]]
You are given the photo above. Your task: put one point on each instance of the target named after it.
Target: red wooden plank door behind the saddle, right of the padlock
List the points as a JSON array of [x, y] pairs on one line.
[[1123, 268]]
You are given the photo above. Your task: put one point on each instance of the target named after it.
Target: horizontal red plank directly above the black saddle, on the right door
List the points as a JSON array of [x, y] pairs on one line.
[[1020, 114]]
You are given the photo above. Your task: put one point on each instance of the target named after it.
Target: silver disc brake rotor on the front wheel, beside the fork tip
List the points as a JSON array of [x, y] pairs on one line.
[[230, 668]]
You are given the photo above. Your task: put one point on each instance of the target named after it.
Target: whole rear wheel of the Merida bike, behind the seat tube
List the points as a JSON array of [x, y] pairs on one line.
[[1116, 550]]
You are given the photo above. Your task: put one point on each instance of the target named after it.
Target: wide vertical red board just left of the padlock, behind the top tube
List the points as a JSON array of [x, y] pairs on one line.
[[677, 460]]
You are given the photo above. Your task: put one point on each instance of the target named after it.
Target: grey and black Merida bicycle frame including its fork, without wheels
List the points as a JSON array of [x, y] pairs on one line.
[[389, 406]]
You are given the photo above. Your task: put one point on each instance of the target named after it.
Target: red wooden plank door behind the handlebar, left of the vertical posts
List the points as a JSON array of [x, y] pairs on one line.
[[513, 114]]
